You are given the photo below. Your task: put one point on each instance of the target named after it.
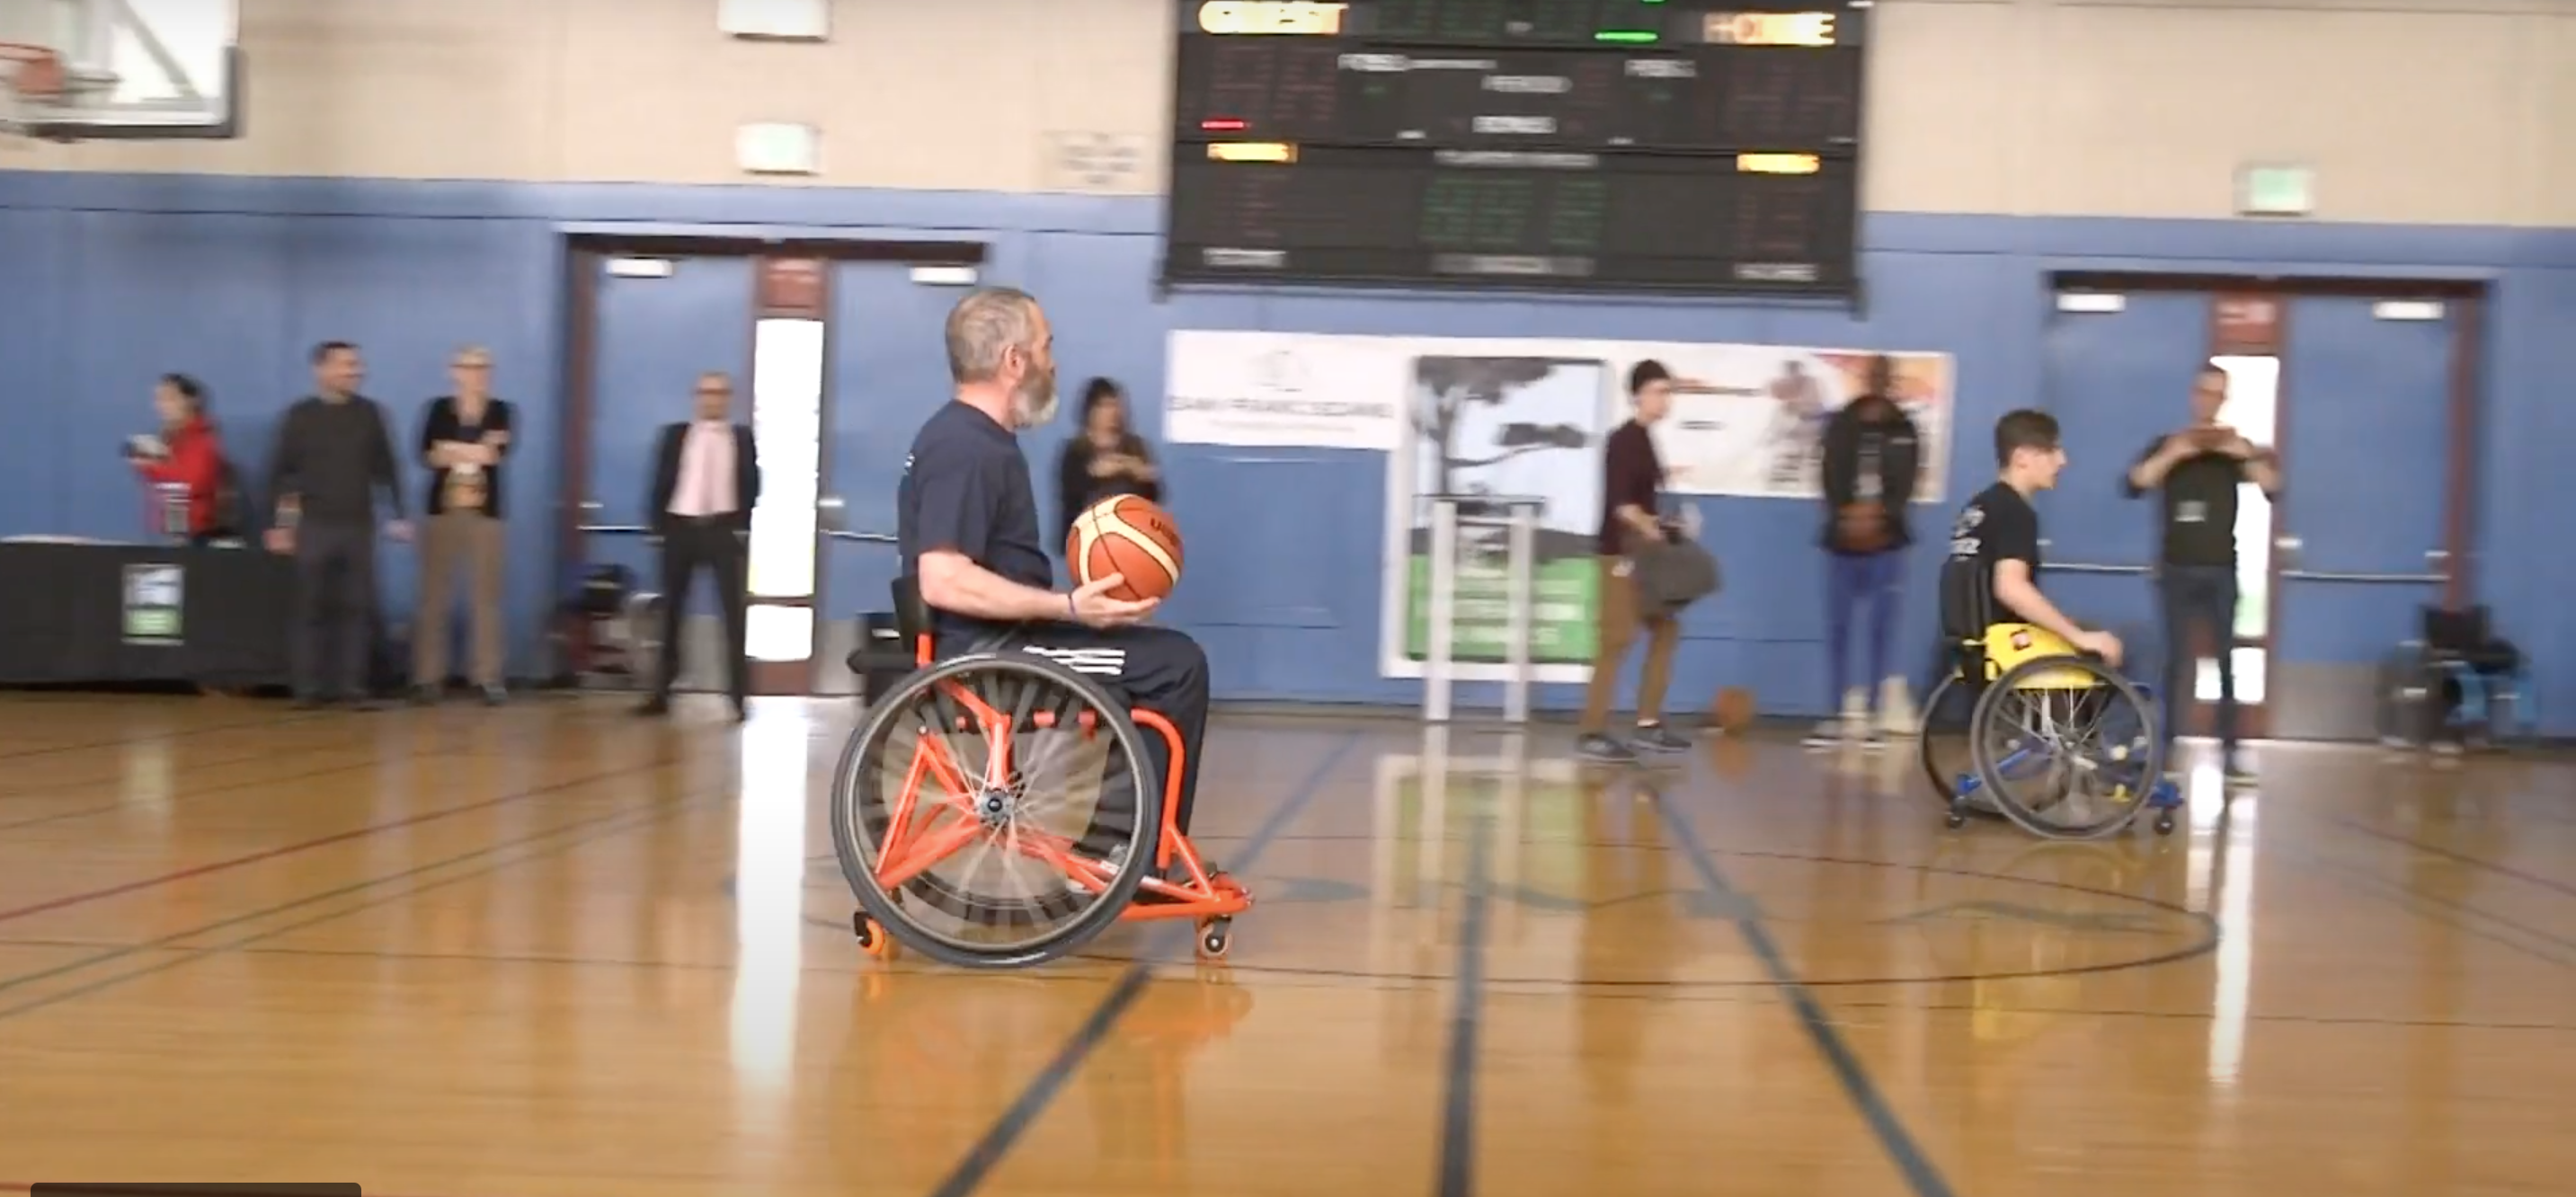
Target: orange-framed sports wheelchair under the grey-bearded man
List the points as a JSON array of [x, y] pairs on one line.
[[1212, 900]]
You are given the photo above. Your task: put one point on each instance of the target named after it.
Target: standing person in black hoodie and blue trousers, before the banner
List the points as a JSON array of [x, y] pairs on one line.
[[1871, 459]]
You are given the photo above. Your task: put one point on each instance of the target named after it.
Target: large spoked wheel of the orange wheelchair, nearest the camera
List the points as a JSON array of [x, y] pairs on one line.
[[996, 812]]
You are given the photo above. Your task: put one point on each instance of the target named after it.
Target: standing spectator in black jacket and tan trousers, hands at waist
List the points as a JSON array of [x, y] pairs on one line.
[[462, 439]]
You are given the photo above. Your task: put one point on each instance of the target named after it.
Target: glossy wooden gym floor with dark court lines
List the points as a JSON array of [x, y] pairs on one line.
[[555, 951]]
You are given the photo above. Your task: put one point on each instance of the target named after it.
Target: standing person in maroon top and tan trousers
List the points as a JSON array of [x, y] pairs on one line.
[[1632, 480]]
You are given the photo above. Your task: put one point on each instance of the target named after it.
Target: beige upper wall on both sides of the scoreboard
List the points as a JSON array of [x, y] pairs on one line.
[[2443, 112]]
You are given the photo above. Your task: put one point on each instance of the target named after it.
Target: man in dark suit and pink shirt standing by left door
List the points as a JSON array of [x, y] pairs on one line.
[[705, 488]]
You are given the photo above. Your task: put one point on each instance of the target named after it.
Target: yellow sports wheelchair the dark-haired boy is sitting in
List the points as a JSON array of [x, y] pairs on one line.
[[2054, 740]]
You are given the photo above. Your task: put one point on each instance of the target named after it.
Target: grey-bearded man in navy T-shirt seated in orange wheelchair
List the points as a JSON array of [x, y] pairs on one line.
[[967, 529]]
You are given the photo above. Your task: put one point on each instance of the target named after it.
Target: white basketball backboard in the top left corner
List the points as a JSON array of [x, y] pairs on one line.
[[138, 68]]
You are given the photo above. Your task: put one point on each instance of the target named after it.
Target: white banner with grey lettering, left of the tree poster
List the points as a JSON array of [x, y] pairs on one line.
[[1284, 390]]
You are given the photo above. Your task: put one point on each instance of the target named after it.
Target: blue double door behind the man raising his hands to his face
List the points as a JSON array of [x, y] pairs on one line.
[[2356, 393]]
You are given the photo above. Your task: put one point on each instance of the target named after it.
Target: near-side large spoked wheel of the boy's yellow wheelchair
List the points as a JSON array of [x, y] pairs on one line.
[[2067, 748]]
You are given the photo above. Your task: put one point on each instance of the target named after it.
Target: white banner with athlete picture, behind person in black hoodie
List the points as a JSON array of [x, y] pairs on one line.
[[1750, 421]]
